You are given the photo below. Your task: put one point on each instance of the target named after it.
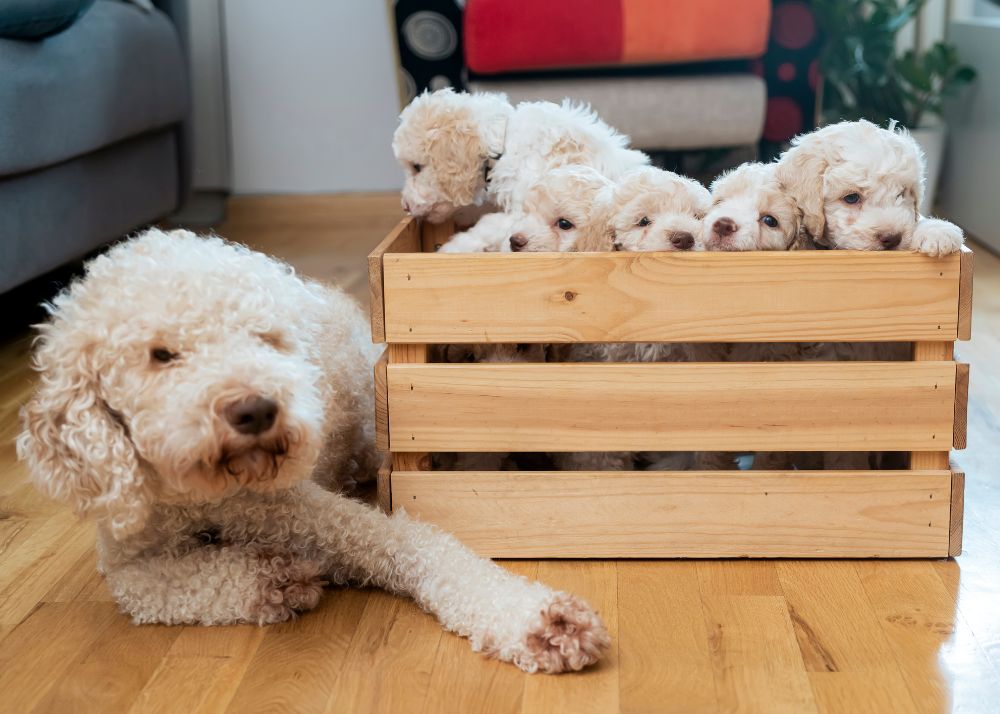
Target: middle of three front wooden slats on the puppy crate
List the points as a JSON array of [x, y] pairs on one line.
[[839, 406]]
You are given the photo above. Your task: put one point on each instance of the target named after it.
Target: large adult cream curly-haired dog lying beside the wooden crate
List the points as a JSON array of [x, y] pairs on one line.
[[192, 395]]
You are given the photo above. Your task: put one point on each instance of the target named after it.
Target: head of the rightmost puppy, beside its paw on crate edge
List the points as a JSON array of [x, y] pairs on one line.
[[858, 186]]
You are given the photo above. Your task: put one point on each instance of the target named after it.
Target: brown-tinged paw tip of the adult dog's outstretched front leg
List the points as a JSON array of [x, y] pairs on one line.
[[569, 635]]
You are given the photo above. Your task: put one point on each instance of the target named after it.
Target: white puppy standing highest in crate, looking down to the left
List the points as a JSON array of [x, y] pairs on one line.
[[461, 150]]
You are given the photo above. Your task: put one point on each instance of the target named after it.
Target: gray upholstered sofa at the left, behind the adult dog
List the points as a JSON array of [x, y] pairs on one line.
[[93, 133]]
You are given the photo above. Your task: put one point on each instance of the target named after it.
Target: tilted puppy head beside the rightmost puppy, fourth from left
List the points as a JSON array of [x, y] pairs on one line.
[[750, 211]]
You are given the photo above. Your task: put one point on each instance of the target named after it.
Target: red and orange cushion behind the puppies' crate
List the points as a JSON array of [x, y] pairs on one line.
[[519, 35]]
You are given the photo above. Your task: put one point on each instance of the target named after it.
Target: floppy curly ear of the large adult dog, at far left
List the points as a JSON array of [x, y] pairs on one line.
[[76, 449]]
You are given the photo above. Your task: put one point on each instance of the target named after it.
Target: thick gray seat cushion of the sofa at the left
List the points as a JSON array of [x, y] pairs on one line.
[[116, 73]]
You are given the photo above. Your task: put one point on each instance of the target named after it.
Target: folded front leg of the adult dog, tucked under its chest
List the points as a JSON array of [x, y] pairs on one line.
[[217, 586]]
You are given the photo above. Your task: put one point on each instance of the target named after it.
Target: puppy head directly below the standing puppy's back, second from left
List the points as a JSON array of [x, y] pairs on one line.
[[564, 211]]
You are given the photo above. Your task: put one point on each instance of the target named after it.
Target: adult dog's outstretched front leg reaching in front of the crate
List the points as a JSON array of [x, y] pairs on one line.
[[504, 615]]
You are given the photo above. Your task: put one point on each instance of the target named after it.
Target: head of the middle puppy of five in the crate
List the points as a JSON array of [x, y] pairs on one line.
[[657, 210]]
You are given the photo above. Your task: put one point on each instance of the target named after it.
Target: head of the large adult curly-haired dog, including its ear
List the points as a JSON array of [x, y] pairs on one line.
[[178, 369]]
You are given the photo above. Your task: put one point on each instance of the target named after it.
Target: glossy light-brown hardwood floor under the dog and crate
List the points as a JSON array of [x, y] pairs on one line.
[[689, 636]]
